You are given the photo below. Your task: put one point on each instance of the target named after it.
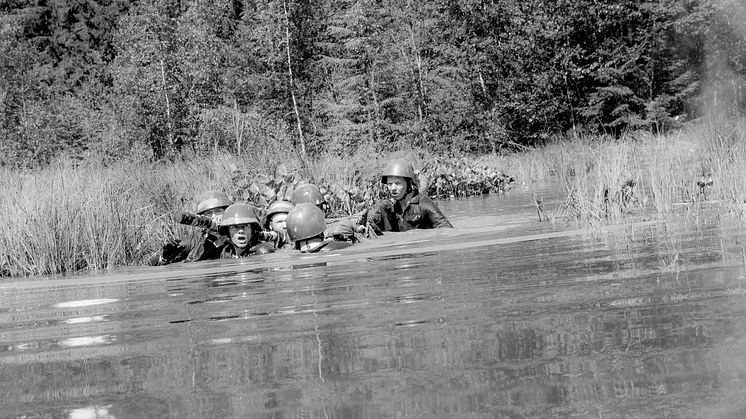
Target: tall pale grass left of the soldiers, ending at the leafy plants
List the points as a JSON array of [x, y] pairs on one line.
[[70, 217]]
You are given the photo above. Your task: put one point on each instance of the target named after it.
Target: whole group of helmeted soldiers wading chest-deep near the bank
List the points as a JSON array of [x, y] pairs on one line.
[[234, 230]]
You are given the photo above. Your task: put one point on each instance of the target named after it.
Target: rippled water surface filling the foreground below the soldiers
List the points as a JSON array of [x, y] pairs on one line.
[[501, 317]]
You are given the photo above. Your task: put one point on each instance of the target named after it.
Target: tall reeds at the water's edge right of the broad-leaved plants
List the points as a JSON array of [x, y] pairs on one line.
[[604, 180]]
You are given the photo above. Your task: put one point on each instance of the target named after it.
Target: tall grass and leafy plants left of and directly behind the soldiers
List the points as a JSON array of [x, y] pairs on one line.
[[72, 216]]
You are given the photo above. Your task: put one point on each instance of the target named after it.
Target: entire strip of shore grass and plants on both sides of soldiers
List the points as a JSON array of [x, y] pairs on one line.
[[70, 217]]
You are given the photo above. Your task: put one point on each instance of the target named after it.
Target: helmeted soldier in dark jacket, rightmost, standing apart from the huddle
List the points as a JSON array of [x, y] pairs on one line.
[[406, 209]]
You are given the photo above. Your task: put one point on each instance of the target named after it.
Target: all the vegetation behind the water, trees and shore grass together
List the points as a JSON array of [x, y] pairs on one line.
[[113, 114]]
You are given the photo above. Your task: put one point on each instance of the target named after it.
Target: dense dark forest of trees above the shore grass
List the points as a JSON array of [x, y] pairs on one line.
[[155, 78]]
